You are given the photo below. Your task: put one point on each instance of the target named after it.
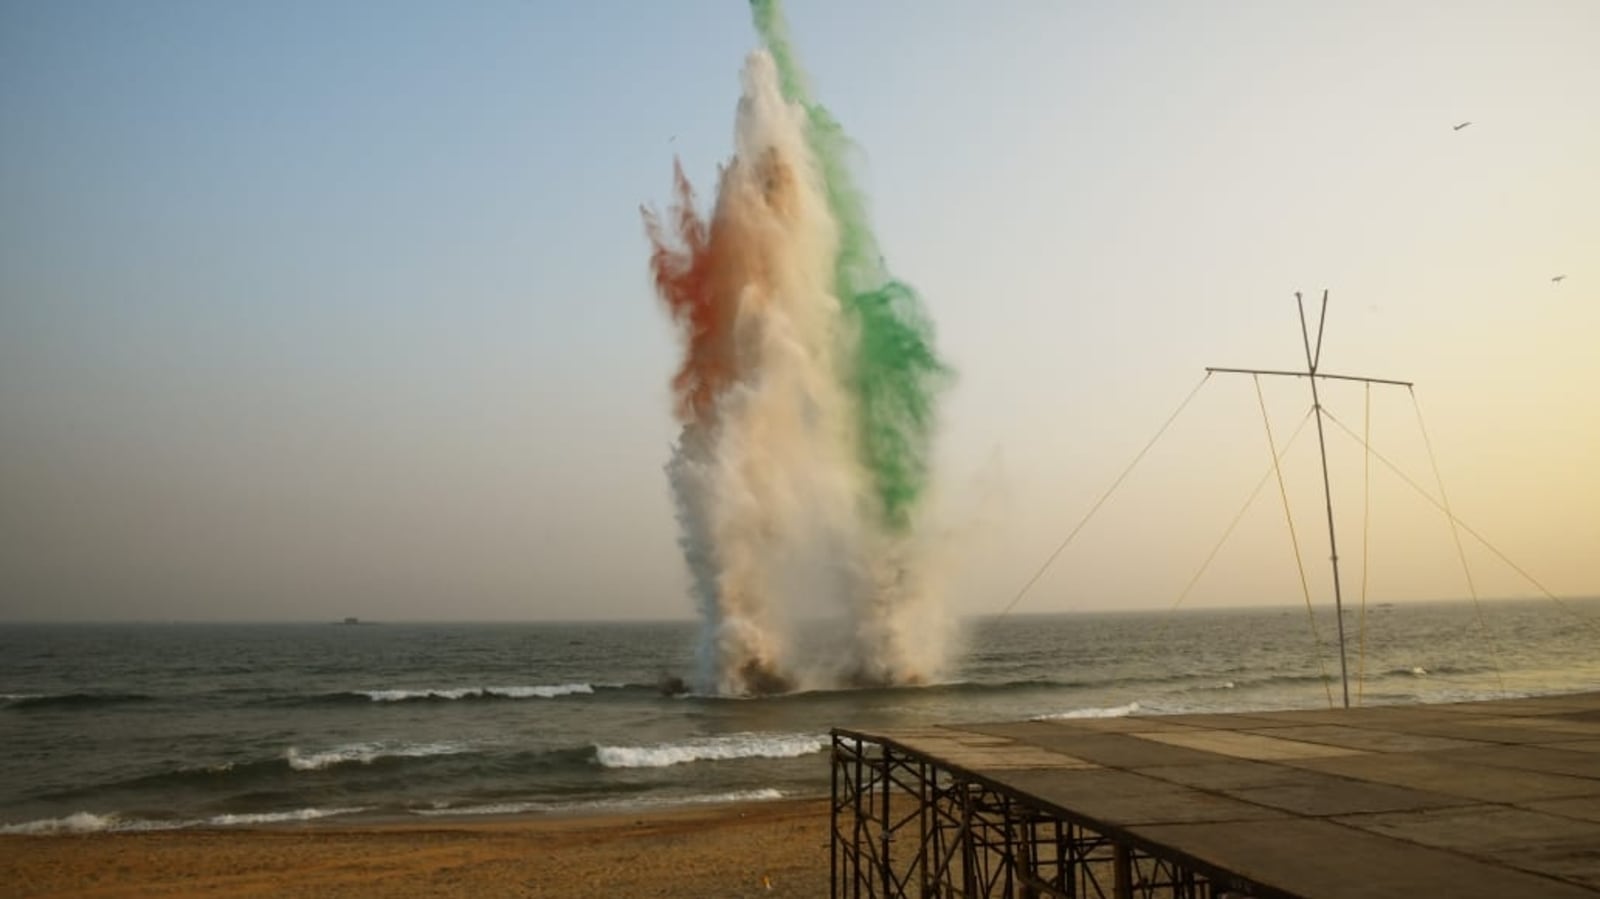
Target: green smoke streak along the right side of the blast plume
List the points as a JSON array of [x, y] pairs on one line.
[[897, 372]]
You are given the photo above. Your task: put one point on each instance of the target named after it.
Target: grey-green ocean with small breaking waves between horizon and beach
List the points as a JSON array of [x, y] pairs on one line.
[[138, 727]]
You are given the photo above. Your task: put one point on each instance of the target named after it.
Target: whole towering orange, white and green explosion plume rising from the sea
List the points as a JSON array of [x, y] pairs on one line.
[[807, 399]]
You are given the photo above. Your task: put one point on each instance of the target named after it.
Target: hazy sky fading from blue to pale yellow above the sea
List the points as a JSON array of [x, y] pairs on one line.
[[342, 310]]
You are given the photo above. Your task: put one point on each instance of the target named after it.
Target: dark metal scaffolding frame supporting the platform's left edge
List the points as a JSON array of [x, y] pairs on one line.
[[903, 826]]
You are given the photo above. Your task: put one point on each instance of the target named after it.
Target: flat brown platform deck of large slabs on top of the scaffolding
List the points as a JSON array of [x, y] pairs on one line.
[[1466, 801]]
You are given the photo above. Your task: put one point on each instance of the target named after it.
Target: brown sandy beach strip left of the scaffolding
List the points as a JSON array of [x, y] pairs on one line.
[[766, 850]]
